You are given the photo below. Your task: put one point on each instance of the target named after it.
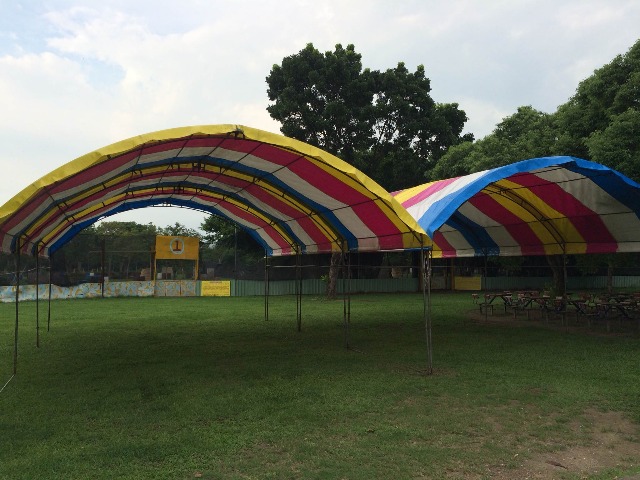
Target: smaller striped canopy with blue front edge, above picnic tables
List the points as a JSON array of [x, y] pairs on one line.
[[542, 206]]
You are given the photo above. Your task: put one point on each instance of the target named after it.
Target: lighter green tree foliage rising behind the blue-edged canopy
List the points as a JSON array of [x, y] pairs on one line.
[[600, 122]]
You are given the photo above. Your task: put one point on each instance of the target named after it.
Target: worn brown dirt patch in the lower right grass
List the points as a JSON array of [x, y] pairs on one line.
[[613, 443]]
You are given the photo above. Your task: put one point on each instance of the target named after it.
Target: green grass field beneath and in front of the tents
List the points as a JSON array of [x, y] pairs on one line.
[[180, 388]]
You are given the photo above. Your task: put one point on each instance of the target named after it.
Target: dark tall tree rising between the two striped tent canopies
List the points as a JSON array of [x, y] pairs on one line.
[[383, 122]]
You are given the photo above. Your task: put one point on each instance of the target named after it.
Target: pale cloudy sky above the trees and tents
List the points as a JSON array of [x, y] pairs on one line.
[[76, 75]]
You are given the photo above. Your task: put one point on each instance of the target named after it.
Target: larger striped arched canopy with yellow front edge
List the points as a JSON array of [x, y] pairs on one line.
[[291, 197]]
